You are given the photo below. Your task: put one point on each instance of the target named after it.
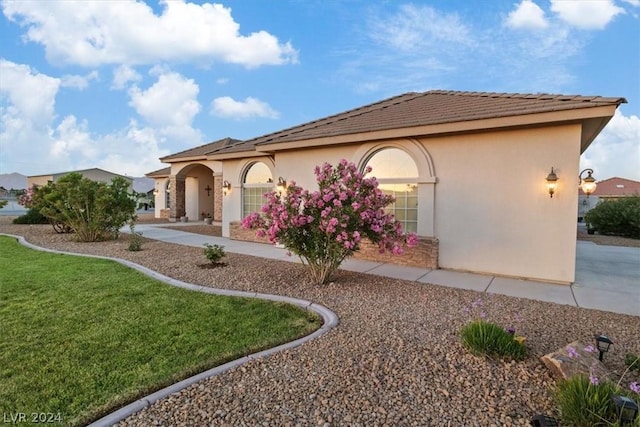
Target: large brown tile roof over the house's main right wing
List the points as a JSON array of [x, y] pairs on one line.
[[428, 108]]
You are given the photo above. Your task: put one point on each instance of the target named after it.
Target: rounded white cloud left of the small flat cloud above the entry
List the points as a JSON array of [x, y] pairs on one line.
[[171, 101]]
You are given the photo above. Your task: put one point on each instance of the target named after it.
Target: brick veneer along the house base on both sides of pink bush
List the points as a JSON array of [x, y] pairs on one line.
[[424, 255]]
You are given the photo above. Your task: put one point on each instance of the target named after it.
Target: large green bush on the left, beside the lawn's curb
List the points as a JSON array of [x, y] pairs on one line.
[[93, 211]]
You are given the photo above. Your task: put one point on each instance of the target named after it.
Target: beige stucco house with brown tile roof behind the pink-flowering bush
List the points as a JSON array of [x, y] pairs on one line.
[[468, 171]]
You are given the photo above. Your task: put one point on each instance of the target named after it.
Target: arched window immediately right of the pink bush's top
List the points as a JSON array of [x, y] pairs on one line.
[[397, 175]]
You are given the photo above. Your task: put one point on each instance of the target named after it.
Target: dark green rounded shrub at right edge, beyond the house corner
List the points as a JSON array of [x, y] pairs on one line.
[[619, 217]]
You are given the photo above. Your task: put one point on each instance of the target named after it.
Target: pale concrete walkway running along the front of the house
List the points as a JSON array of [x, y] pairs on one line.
[[607, 277]]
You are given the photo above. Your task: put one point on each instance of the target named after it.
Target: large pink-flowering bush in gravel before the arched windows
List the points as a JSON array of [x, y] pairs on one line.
[[326, 226]]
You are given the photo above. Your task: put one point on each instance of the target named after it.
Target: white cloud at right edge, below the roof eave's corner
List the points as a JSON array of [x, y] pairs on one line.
[[616, 151]]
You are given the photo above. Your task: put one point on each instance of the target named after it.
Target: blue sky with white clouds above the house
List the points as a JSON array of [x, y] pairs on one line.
[[118, 84]]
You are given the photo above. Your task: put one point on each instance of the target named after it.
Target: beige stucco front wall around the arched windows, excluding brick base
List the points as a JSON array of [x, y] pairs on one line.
[[485, 198]]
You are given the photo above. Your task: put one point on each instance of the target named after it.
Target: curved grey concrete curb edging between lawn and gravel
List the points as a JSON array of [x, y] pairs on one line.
[[330, 321]]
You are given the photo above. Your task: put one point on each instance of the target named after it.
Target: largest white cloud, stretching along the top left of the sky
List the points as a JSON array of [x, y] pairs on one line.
[[92, 33]]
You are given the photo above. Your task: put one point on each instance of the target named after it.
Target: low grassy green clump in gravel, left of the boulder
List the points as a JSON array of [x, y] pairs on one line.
[[482, 337]]
